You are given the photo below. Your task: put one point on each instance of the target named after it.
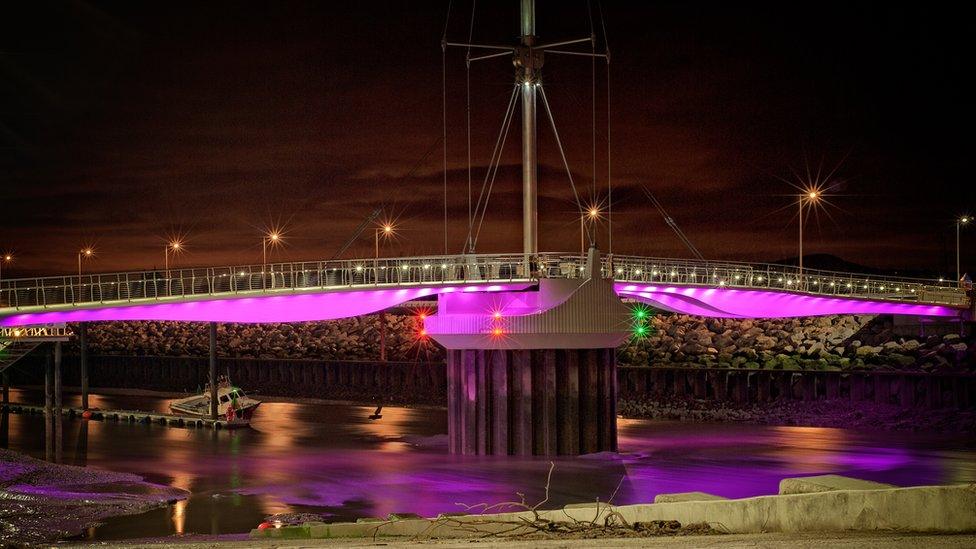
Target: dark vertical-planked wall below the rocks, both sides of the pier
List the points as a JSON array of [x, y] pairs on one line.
[[426, 382]]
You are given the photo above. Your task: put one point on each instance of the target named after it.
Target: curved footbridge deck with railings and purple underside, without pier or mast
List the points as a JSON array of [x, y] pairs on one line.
[[325, 290]]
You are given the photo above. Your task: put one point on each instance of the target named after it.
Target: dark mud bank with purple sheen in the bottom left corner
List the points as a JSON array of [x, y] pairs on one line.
[[44, 502]]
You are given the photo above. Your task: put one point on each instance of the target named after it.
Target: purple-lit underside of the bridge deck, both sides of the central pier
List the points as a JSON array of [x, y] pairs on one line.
[[711, 302]]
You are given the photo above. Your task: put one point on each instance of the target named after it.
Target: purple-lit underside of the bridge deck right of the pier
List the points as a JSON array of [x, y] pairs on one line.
[[739, 303]]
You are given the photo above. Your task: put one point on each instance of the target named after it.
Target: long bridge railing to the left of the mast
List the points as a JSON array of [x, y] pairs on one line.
[[273, 278]]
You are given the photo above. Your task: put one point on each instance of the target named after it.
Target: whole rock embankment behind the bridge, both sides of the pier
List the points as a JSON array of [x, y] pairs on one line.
[[819, 343]]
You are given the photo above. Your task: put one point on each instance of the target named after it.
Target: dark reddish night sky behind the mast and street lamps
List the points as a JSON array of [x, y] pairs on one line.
[[124, 123]]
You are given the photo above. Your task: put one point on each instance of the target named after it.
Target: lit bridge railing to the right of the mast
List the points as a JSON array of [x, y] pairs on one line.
[[786, 278]]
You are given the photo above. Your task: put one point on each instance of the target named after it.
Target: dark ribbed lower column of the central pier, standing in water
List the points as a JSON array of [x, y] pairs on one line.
[[532, 402]]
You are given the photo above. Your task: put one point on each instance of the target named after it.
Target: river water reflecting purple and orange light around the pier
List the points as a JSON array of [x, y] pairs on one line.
[[331, 459]]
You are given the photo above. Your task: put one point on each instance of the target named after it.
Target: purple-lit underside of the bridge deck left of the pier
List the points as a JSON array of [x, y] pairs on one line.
[[266, 308]]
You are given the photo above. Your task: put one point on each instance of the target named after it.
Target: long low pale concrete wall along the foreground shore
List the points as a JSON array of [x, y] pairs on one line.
[[926, 509]]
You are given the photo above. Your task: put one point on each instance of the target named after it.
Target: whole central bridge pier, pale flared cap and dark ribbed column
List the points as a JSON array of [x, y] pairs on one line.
[[533, 373]]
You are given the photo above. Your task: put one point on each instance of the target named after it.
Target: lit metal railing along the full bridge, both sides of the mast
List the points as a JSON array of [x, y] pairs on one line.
[[142, 286]]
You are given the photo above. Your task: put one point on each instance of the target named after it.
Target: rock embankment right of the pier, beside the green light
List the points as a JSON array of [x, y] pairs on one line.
[[816, 343]]
